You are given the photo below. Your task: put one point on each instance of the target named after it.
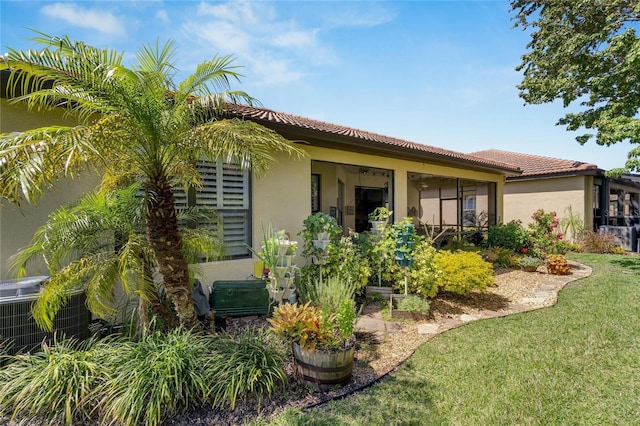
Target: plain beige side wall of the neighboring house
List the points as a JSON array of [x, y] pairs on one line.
[[523, 197]]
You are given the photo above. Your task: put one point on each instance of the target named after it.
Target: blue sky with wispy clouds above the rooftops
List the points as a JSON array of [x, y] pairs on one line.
[[440, 73]]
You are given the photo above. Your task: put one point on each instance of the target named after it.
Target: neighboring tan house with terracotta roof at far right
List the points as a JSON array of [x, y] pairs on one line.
[[559, 185]]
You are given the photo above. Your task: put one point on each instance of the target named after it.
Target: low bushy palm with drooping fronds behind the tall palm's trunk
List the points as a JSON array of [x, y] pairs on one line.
[[98, 243]]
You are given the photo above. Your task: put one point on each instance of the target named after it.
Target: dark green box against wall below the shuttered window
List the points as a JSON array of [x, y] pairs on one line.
[[239, 298]]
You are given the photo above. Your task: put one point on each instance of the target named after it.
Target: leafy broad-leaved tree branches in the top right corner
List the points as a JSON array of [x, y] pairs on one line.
[[586, 53]]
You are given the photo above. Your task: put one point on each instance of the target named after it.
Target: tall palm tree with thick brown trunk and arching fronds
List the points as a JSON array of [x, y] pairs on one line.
[[136, 120]]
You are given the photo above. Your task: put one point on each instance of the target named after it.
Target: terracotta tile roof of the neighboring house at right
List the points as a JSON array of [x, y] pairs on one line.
[[538, 166]]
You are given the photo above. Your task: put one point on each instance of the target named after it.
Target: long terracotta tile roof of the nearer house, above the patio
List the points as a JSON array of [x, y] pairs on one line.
[[366, 140]]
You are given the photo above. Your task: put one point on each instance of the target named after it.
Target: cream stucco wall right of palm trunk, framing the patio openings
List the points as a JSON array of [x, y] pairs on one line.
[[283, 197]]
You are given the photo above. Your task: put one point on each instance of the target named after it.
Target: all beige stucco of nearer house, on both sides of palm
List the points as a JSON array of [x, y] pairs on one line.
[[281, 199]]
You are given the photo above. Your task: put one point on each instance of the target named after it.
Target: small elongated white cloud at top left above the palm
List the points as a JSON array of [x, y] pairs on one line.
[[72, 13]]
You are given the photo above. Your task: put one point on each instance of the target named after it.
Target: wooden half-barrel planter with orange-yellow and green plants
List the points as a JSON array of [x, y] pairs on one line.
[[321, 331]]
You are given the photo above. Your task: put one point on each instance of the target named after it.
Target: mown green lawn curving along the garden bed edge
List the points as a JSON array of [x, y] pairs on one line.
[[574, 363]]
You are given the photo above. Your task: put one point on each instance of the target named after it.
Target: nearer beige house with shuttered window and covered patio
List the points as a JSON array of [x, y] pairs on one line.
[[347, 173]]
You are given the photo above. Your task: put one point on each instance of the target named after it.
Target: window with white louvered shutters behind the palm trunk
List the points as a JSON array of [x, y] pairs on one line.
[[225, 188]]
